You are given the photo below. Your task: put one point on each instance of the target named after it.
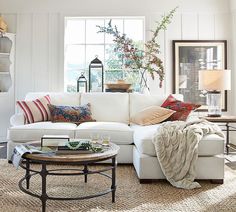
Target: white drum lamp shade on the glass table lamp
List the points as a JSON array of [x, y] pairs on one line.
[[214, 80]]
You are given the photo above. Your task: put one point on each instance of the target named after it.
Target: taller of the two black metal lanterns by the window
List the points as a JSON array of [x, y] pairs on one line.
[[96, 76]]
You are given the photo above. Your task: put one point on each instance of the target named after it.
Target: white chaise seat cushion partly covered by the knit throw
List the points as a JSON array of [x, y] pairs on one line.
[[143, 135]]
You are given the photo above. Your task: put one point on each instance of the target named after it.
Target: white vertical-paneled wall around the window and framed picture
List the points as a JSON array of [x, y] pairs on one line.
[[40, 32]]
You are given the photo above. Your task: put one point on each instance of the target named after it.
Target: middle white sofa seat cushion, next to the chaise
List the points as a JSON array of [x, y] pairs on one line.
[[119, 133]]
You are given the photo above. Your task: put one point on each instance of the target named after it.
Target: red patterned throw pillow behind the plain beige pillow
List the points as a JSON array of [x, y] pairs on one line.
[[182, 109]]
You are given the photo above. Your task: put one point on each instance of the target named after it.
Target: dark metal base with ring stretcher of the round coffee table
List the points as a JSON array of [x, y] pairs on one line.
[[44, 173]]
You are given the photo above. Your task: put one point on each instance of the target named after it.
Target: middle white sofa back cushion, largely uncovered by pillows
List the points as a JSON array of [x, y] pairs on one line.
[[112, 107]]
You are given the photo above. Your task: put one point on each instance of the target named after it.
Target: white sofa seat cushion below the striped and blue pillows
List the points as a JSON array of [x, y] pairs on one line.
[[35, 131]]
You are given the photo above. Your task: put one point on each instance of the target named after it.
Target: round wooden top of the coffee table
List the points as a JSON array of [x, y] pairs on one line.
[[53, 157]]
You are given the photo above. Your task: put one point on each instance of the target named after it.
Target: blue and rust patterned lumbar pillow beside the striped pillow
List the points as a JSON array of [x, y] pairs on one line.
[[73, 114]]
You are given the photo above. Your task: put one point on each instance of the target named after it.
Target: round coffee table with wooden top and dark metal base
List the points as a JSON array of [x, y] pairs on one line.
[[69, 159]]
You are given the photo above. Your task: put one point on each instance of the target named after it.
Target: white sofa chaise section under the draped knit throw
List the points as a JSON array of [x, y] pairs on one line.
[[210, 164]]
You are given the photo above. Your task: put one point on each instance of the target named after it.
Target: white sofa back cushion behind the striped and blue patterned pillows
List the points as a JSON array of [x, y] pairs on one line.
[[68, 99]]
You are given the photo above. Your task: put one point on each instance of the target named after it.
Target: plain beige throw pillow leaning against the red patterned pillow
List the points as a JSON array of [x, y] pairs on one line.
[[151, 115]]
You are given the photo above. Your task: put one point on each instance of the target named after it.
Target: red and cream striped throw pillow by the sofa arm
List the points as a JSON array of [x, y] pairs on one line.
[[36, 110]]
